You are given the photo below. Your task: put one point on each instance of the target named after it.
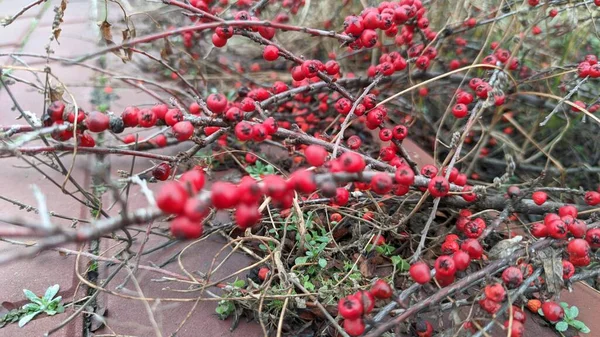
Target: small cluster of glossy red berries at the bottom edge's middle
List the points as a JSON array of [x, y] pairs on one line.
[[353, 307]]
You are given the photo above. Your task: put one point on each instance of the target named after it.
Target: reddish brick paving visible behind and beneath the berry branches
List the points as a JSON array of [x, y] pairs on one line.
[[123, 316]]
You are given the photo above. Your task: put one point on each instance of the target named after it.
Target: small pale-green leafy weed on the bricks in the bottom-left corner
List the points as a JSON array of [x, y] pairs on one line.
[[47, 304]]
